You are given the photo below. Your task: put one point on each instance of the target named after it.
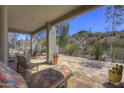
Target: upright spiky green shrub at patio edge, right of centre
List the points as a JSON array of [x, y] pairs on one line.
[[97, 50]]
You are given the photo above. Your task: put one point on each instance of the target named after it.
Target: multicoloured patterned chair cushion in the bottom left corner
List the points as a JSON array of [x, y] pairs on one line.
[[9, 78]]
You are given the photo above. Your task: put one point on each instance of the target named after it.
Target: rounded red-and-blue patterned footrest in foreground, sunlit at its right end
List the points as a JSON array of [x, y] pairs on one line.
[[49, 78]]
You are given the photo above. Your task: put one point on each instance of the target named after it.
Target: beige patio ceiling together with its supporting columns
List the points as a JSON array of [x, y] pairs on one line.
[[32, 19]]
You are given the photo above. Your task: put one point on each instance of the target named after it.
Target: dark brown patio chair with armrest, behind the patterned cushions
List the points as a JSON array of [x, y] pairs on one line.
[[24, 66]]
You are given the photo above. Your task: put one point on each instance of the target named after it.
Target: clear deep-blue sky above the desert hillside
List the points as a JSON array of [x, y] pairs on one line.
[[93, 21]]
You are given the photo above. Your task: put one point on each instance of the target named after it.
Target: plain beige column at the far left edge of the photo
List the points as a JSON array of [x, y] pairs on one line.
[[3, 34]]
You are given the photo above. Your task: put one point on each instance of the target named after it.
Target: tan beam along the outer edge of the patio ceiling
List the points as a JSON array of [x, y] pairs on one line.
[[80, 10]]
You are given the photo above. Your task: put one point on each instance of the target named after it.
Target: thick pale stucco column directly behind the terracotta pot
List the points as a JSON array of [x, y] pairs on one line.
[[51, 43]]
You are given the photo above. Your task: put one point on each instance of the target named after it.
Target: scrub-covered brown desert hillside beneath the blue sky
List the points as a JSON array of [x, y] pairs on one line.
[[85, 40]]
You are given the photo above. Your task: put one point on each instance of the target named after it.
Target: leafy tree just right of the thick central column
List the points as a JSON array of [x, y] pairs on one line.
[[62, 30]]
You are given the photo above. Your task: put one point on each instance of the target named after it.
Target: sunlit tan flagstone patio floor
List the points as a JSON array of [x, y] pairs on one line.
[[86, 73]]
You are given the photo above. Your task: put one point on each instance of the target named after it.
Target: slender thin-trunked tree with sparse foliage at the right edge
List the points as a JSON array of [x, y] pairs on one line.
[[114, 16]]
